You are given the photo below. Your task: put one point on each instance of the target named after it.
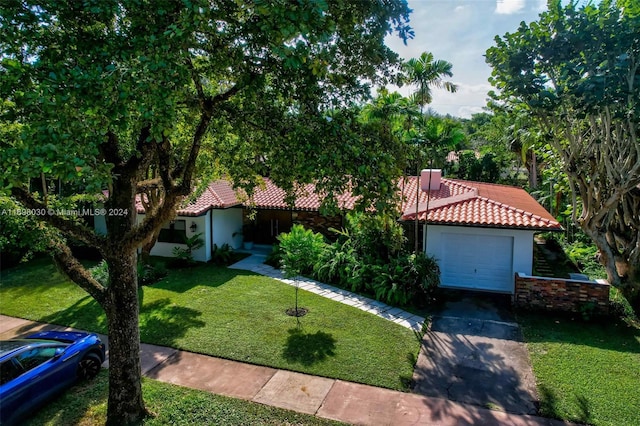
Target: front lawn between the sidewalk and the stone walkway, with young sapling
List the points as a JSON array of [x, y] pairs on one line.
[[231, 314]]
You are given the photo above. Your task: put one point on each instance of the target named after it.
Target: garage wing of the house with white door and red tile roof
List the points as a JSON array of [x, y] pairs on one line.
[[481, 234]]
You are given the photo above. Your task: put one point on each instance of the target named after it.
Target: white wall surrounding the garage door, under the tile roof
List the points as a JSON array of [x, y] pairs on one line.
[[522, 243]]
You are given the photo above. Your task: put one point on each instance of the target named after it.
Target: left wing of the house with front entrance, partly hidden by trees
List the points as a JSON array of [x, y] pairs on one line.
[[220, 215]]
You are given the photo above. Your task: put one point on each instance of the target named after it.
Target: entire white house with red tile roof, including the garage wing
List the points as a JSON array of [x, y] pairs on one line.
[[481, 234]]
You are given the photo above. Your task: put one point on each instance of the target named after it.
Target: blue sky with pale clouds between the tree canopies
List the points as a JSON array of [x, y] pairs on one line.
[[460, 31]]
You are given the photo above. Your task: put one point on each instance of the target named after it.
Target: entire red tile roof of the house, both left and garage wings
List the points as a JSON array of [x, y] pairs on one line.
[[457, 202]]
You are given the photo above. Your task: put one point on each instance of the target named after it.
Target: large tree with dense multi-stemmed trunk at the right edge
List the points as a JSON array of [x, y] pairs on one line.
[[576, 71]]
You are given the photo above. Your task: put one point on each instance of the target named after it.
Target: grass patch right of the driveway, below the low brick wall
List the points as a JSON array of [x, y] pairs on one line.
[[586, 372]]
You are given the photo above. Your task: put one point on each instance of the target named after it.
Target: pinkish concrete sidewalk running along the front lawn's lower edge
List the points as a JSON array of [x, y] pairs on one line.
[[328, 398]]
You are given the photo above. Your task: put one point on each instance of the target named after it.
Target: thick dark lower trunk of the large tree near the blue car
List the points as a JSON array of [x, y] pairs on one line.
[[121, 307]]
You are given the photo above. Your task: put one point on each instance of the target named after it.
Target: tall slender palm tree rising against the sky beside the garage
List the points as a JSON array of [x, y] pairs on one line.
[[426, 72]]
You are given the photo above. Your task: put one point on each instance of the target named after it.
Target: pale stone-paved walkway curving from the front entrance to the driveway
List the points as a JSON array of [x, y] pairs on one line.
[[255, 263]]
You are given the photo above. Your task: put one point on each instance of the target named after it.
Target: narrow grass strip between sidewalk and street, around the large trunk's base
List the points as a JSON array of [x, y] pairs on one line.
[[86, 405]]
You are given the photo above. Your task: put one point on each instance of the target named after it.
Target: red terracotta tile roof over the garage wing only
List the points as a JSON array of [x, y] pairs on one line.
[[478, 204]]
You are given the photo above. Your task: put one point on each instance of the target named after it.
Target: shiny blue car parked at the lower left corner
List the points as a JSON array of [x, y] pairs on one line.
[[38, 367]]
